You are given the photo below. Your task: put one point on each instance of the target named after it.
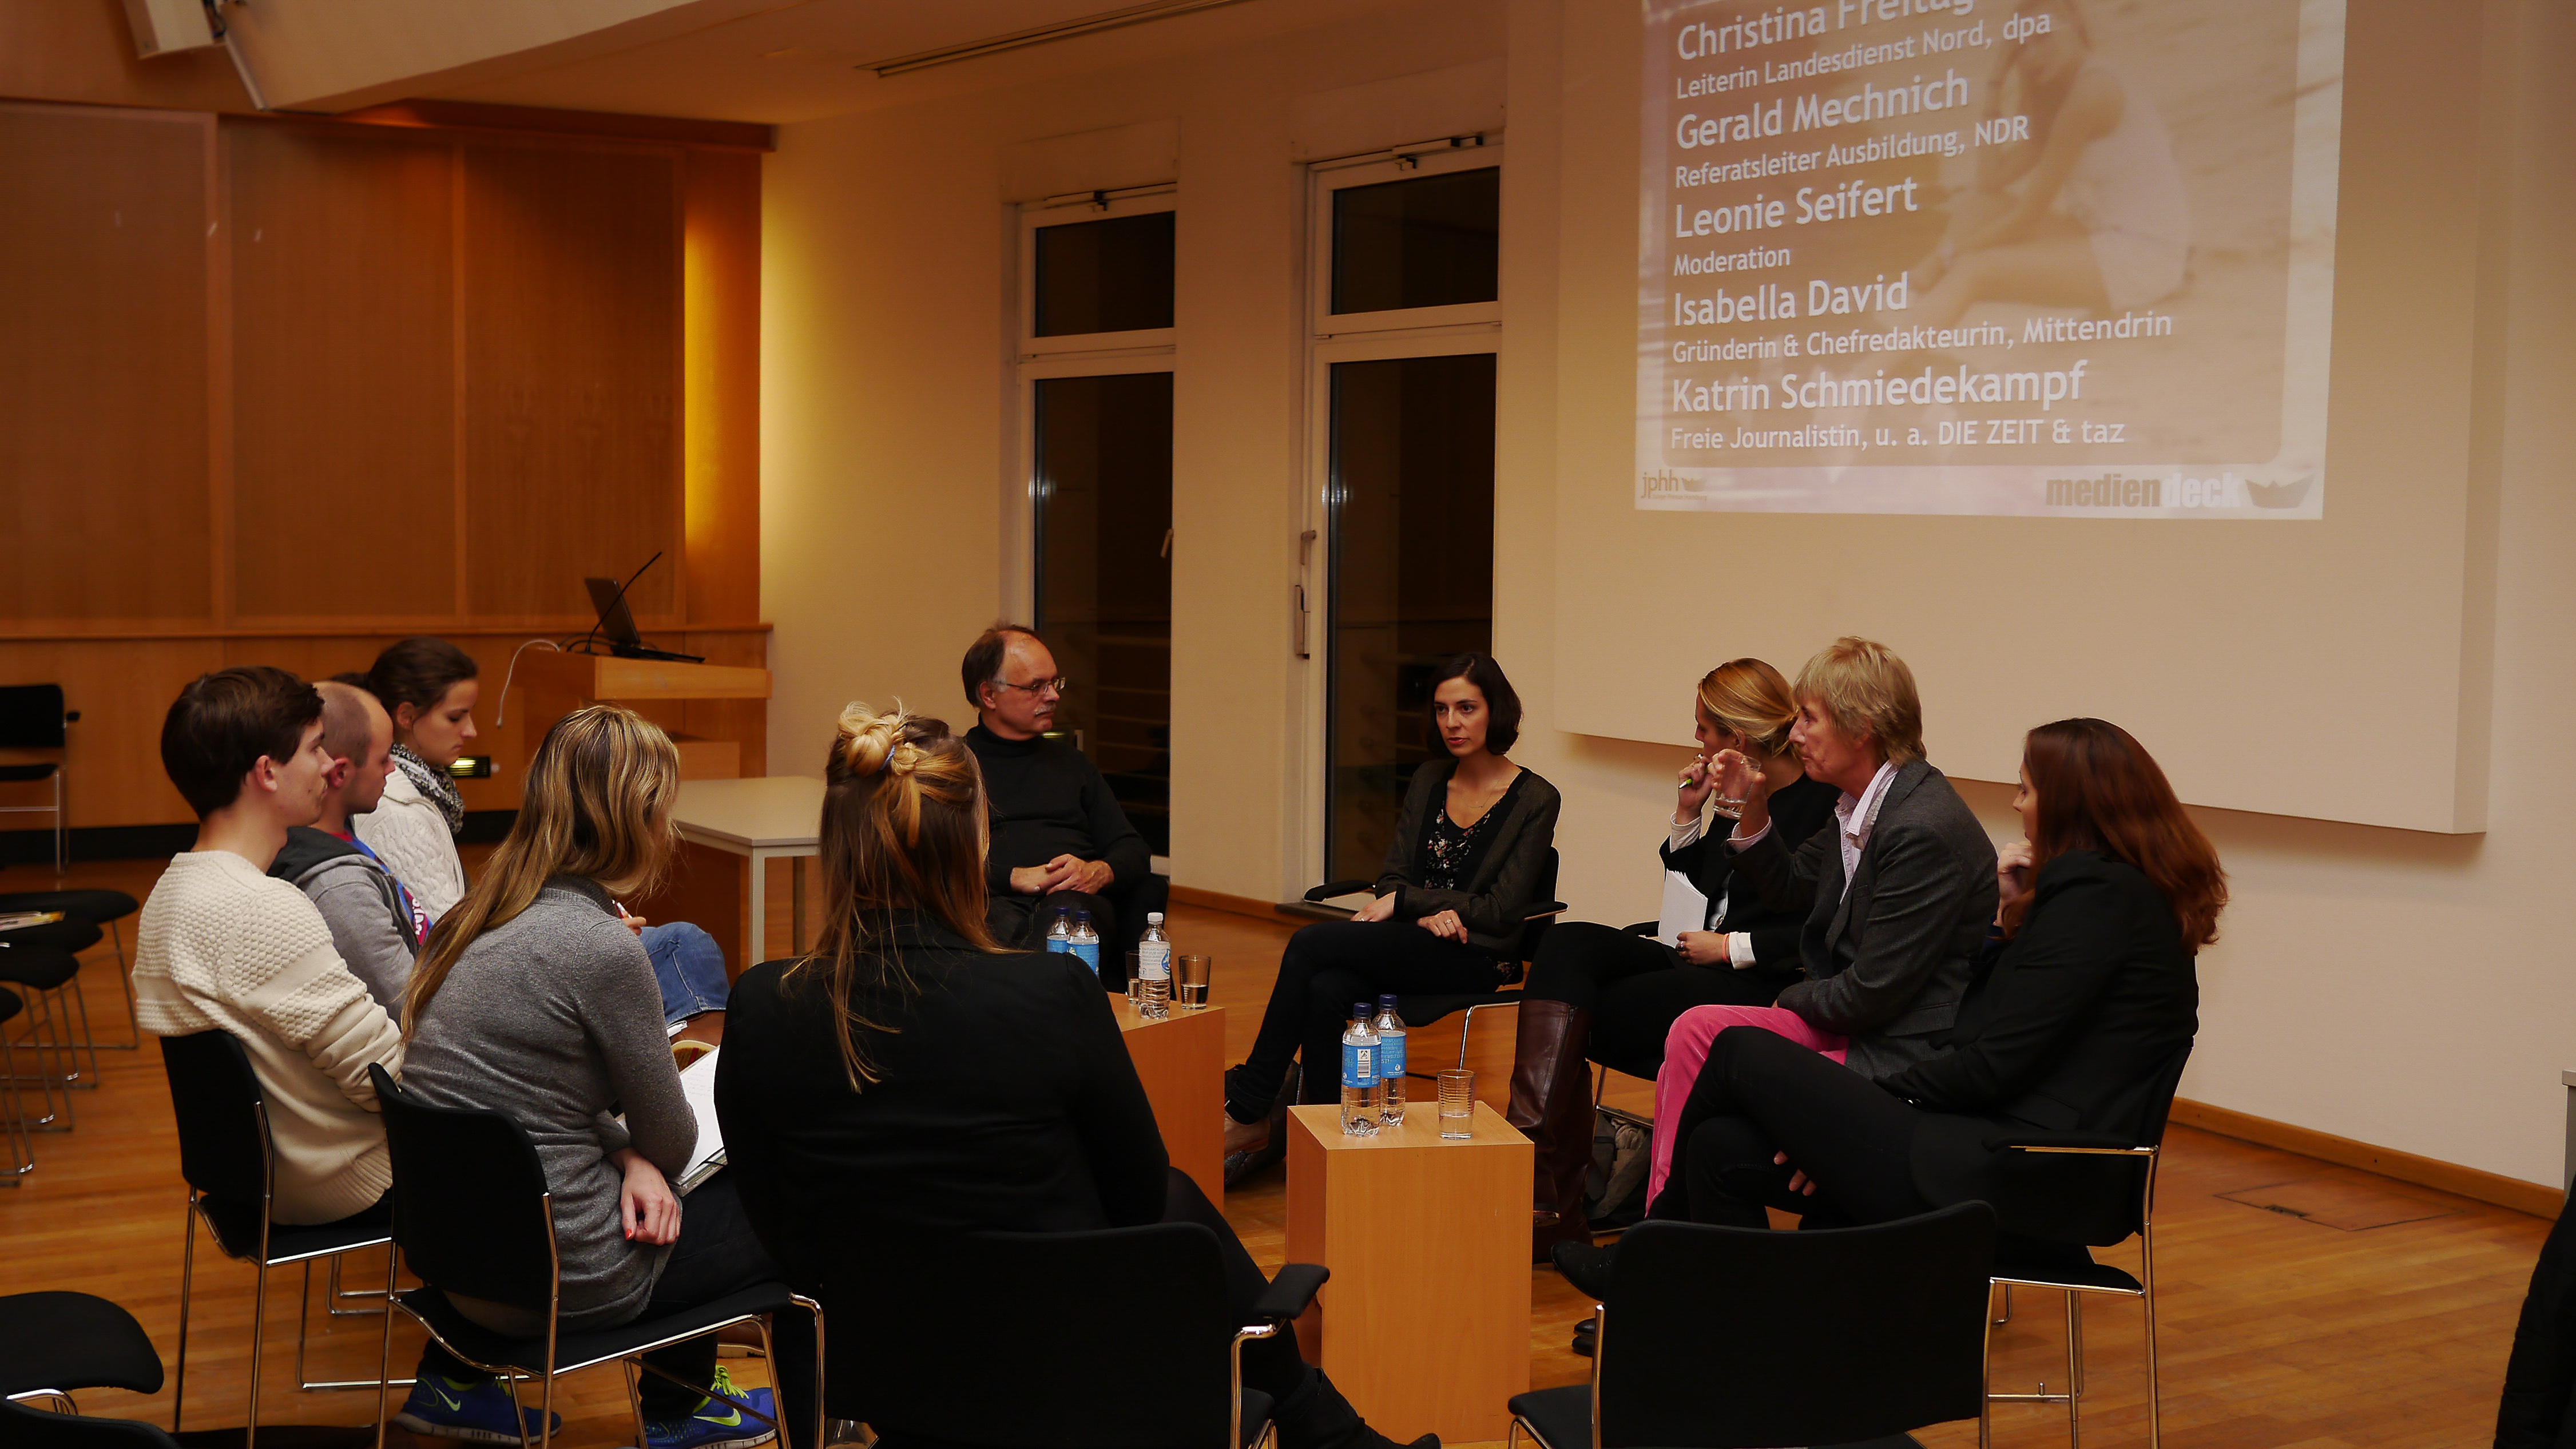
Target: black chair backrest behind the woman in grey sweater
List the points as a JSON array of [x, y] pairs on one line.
[[470, 1198]]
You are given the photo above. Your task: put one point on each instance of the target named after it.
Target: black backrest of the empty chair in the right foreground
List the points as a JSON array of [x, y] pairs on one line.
[[1738, 1337]]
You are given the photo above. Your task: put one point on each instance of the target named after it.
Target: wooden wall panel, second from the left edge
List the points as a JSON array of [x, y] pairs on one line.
[[344, 372]]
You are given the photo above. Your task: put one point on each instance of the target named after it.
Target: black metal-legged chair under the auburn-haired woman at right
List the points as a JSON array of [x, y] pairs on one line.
[[2119, 1180]]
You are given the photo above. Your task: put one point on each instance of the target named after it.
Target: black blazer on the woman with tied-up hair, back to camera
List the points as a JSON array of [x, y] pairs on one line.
[[1006, 1103]]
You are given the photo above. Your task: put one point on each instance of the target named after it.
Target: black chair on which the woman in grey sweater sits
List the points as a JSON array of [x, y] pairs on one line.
[[473, 1216]]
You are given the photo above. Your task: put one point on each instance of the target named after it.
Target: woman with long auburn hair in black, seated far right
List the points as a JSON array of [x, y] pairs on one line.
[[2083, 1008]]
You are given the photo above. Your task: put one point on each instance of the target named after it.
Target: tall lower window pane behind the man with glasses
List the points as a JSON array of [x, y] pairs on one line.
[[1106, 580]]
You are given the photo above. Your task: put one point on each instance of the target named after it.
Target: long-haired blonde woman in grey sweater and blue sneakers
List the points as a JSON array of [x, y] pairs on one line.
[[537, 1000]]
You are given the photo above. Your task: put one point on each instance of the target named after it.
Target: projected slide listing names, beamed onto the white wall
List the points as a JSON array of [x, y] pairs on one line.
[[1987, 256]]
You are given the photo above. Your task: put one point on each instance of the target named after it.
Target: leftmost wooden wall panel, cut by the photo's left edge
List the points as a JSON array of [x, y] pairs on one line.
[[104, 423]]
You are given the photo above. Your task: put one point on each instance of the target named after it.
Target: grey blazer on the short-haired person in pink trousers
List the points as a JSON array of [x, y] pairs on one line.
[[1887, 961]]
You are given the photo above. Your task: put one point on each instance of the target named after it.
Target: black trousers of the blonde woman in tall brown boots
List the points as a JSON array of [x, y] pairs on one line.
[[1637, 990]]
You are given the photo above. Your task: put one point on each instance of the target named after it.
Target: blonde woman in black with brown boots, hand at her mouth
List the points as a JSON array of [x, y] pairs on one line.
[[1611, 995]]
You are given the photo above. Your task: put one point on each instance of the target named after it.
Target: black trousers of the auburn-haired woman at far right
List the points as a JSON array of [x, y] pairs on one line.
[[1763, 1095]]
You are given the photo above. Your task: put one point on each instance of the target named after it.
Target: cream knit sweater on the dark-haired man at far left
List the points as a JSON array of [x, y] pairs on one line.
[[223, 946]]
